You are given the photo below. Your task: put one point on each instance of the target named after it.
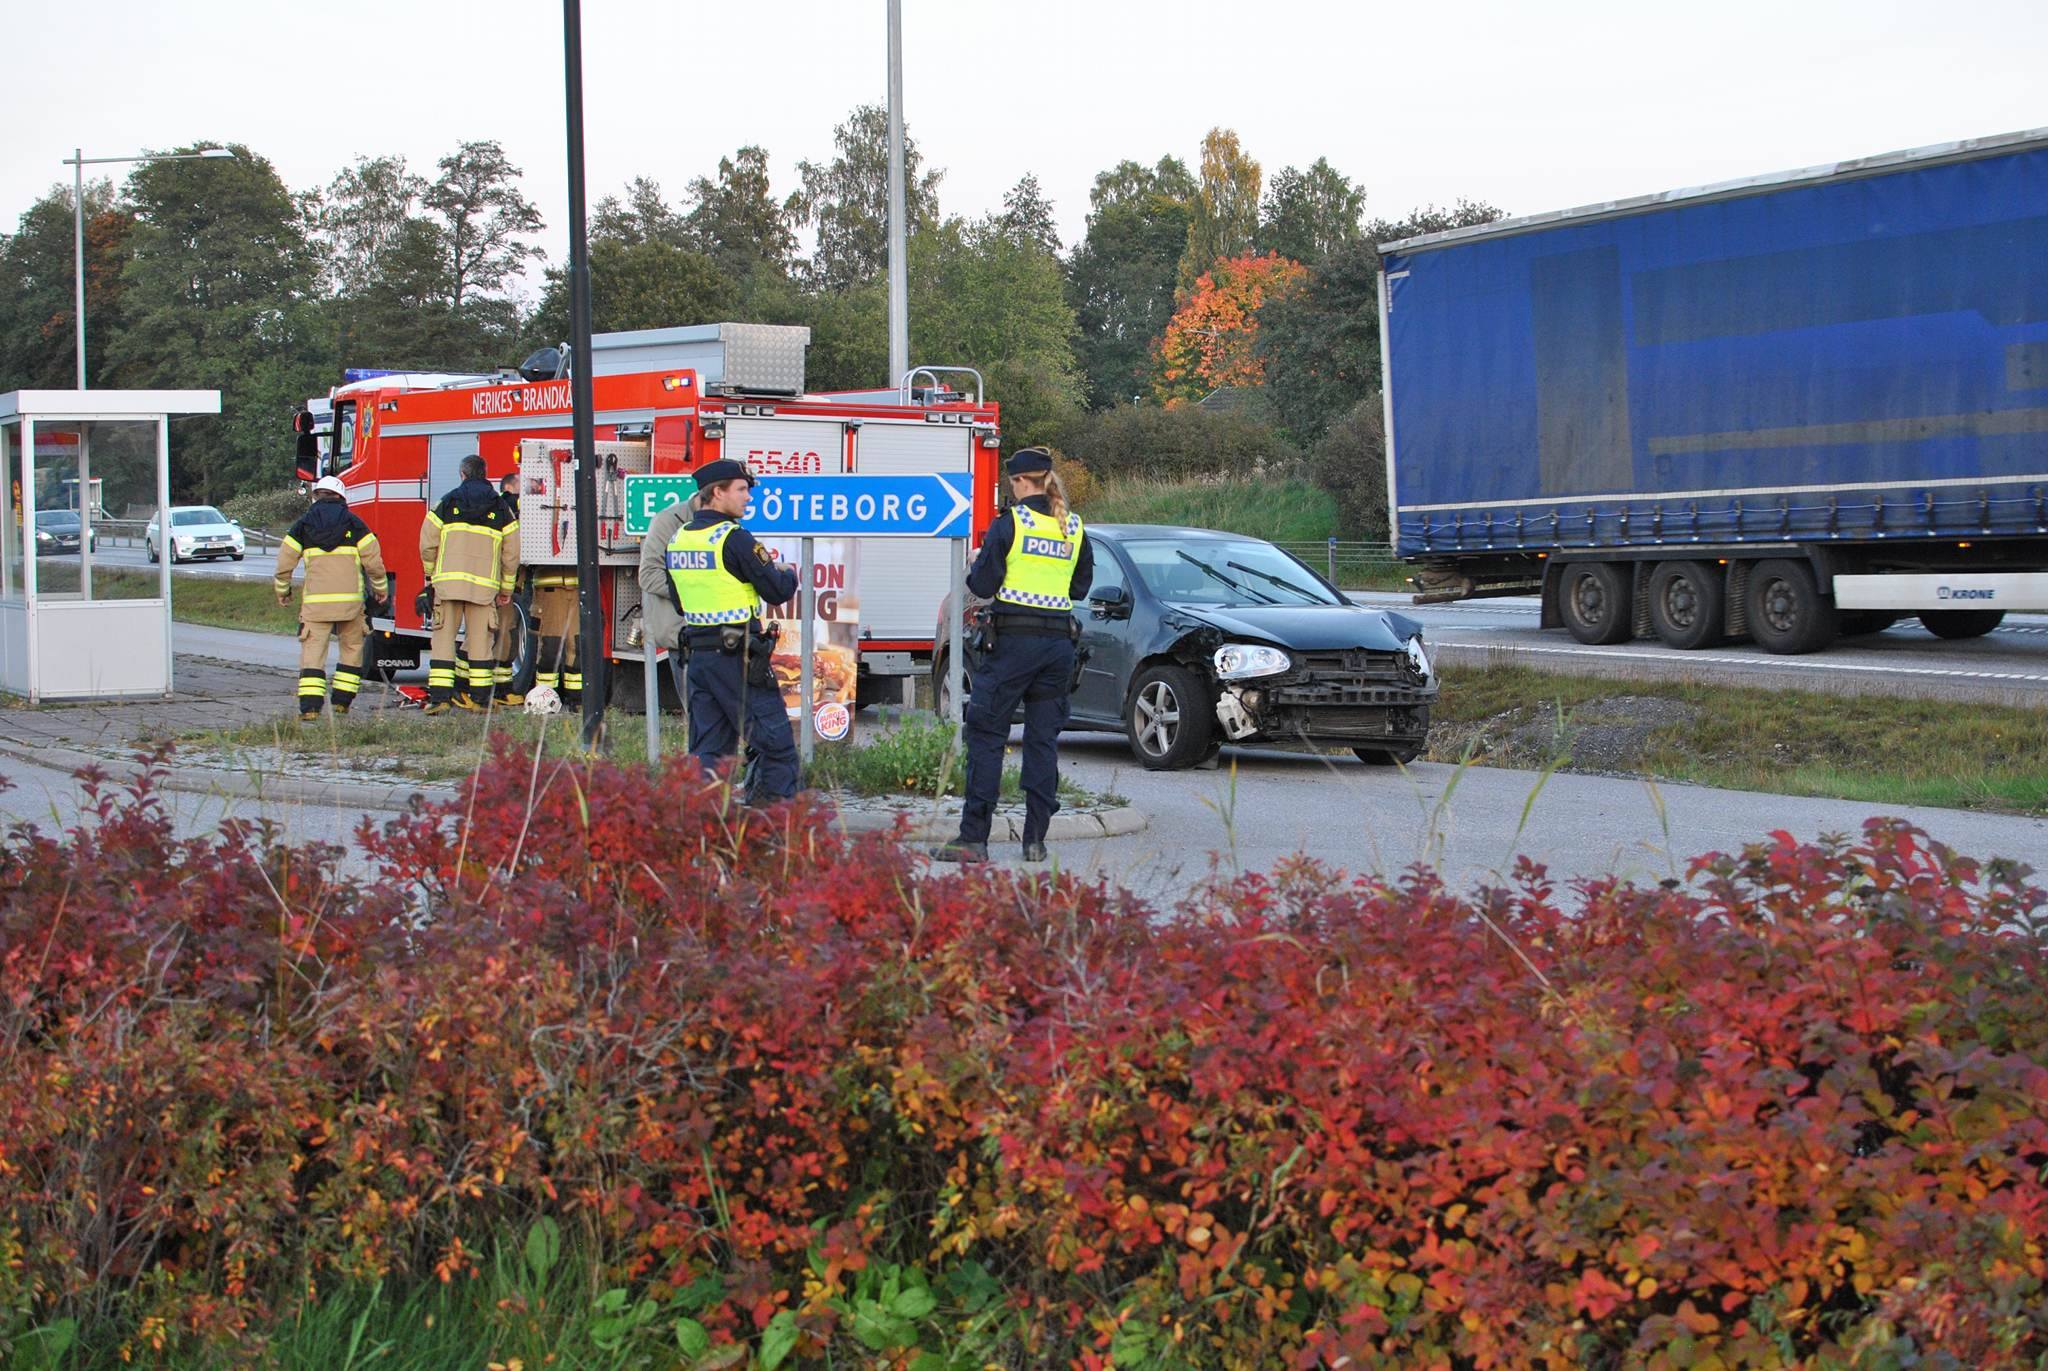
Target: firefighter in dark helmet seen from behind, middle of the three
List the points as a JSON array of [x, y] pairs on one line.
[[470, 554]]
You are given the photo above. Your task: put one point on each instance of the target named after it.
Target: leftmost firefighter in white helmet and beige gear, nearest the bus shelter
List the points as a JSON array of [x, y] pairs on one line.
[[339, 552]]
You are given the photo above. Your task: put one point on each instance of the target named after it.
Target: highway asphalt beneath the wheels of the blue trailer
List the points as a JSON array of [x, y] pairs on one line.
[[2006, 667]]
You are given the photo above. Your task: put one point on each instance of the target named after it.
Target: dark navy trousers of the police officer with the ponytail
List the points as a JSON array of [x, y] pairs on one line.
[[1037, 673]]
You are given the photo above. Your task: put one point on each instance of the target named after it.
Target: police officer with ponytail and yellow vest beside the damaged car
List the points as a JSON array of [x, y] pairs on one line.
[[1035, 565]]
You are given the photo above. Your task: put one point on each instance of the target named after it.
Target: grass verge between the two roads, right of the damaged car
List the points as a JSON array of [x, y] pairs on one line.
[[1793, 743]]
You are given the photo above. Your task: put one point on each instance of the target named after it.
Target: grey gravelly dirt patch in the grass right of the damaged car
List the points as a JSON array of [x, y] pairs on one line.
[[1598, 737]]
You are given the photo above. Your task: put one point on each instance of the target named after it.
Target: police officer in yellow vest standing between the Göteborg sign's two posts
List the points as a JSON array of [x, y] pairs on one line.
[[720, 579]]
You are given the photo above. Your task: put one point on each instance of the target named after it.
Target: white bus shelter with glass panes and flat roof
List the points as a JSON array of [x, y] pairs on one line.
[[79, 468]]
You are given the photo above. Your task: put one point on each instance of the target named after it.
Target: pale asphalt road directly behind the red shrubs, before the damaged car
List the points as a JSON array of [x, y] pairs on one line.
[[1261, 808]]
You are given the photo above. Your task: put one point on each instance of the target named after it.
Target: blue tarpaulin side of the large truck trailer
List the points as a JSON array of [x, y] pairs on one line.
[[1850, 356]]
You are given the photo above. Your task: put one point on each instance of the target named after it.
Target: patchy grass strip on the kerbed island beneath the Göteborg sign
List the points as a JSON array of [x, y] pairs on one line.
[[409, 747]]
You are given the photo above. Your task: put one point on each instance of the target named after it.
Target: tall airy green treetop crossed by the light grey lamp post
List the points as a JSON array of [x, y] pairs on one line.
[[849, 200]]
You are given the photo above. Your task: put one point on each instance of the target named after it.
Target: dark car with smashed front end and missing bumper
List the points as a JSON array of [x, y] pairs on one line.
[[1201, 638]]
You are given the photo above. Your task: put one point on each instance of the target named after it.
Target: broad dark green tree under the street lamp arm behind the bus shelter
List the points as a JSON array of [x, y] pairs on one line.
[[218, 296]]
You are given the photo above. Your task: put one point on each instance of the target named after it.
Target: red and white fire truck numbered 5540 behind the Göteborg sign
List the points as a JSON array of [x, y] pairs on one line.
[[667, 401]]
